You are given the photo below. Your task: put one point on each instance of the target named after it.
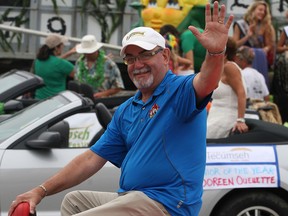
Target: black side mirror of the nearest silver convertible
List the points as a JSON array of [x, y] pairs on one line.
[[46, 140]]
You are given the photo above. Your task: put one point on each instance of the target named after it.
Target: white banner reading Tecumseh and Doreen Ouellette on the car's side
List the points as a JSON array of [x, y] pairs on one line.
[[241, 167]]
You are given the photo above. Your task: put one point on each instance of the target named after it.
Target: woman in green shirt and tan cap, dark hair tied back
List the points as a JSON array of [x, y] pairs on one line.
[[53, 69]]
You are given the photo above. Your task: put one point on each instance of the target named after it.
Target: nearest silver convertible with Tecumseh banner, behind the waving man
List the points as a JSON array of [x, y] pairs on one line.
[[246, 175]]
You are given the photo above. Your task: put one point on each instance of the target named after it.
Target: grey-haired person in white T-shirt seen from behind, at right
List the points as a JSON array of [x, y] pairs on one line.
[[255, 82]]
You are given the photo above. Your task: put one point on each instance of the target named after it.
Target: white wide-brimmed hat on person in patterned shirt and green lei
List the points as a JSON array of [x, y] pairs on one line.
[[88, 45]]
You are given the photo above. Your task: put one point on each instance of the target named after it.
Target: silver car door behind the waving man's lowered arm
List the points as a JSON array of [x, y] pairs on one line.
[[23, 169]]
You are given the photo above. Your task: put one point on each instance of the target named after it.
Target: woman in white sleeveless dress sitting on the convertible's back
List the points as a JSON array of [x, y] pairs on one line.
[[227, 111]]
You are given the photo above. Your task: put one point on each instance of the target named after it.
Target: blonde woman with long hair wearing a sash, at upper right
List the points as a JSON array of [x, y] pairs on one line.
[[257, 31]]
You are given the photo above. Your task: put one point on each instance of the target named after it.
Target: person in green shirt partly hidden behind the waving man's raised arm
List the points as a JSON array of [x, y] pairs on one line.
[[192, 49]]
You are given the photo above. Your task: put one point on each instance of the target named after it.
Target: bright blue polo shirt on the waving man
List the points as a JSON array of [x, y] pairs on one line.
[[160, 145]]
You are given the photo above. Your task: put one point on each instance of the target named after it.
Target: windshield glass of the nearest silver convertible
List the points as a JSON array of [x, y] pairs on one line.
[[29, 115]]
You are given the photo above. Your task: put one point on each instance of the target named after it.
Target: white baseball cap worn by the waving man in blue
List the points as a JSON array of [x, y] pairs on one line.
[[144, 37]]
